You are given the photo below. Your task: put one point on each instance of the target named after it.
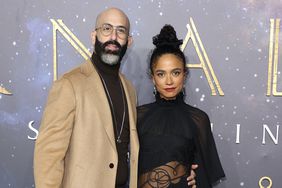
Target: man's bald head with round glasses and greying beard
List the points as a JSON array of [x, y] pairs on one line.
[[111, 35]]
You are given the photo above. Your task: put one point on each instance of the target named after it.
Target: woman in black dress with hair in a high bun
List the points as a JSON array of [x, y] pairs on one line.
[[173, 134]]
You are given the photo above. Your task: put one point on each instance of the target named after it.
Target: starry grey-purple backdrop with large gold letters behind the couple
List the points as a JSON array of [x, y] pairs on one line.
[[234, 55]]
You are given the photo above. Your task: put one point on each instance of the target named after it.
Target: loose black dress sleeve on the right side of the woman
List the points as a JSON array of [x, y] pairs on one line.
[[210, 170]]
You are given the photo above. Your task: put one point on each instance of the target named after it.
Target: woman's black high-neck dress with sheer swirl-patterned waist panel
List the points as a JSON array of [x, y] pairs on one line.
[[172, 136]]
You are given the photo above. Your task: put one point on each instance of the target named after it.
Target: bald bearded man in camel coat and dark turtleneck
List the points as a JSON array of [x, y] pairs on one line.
[[90, 118]]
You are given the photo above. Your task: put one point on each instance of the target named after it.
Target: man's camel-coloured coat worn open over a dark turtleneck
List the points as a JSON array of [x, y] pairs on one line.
[[76, 145]]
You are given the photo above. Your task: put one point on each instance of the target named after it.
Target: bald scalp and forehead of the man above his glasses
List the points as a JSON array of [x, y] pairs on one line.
[[113, 16]]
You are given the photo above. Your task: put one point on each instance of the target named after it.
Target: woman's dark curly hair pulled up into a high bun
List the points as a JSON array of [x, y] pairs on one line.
[[166, 43]]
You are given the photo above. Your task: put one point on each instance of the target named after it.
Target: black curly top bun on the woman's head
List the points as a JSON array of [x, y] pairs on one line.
[[167, 37]]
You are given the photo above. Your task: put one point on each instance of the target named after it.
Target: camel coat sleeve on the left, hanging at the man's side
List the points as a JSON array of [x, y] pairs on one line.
[[54, 135]]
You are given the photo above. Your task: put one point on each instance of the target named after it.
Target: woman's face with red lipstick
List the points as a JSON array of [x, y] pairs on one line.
[[168, 76]]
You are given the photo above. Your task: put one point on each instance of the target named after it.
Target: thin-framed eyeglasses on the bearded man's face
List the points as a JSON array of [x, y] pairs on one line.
[[107, 29]]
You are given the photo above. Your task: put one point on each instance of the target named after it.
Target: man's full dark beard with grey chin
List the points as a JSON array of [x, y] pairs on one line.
[[108, 56]]
